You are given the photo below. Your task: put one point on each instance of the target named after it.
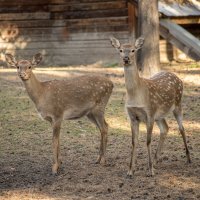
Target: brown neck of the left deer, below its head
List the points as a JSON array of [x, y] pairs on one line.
[[33, 87]]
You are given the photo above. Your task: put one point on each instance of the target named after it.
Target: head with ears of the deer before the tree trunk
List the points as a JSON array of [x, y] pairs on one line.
[[127, 51]]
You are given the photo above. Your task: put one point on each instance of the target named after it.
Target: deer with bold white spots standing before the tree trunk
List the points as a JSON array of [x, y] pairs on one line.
[[149, 100]]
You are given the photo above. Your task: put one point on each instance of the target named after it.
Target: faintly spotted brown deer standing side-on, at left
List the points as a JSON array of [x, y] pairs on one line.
[[70, 99]]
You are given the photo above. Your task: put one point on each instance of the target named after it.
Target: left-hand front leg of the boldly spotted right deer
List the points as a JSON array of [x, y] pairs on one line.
[[135, 134]]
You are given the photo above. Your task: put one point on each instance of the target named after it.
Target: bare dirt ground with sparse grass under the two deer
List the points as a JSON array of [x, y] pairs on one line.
[[26, 156]]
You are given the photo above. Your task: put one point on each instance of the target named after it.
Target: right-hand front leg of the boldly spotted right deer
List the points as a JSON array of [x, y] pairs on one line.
[[149, 134]]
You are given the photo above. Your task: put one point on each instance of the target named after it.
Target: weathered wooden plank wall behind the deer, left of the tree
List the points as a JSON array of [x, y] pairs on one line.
[[67, 32]]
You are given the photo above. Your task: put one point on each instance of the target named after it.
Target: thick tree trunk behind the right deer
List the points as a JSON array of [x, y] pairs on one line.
[[148, 27]]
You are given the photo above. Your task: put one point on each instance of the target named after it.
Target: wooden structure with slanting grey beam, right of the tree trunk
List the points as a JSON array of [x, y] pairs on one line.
[[180, 26]]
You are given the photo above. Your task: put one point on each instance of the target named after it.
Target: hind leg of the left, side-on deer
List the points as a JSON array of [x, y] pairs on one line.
[[98, 119]]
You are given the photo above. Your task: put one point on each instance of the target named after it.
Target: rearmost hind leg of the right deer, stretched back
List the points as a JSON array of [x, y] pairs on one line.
[[178, 115]]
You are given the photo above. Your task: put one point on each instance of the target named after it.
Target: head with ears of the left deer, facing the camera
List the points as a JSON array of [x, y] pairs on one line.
[[24, 67]]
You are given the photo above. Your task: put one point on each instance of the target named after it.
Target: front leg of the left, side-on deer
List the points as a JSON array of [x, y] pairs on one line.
[[56, 147]]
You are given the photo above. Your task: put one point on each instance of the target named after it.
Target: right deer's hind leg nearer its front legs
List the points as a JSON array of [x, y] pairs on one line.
[[162, 124]]
